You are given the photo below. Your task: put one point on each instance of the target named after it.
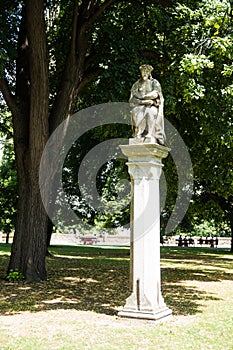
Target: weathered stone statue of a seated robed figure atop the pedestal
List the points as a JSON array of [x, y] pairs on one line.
[[147, 103]]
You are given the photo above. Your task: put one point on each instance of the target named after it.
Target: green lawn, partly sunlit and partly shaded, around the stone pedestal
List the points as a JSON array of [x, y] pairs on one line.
[[76, 308]]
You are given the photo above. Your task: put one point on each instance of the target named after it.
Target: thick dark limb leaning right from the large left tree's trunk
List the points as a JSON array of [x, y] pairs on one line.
[[74, 75]]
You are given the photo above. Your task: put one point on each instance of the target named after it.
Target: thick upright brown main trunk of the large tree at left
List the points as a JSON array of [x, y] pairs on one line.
[[30, 136]]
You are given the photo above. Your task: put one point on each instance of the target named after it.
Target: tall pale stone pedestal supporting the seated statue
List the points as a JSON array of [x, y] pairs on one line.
[[145, 167]]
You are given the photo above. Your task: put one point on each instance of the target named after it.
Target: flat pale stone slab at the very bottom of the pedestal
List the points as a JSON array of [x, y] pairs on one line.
[[159, 316]]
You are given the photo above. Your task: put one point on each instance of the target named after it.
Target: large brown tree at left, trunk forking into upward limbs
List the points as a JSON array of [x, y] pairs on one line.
[[33, 118]]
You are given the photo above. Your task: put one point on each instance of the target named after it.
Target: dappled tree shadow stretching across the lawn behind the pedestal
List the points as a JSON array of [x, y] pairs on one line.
[[98, 280]]
